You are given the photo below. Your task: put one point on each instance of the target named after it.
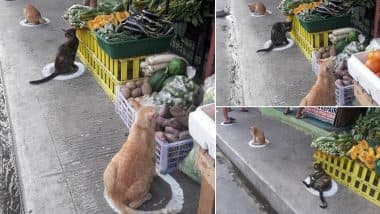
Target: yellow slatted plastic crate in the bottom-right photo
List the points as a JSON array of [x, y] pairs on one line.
[[352, 174]]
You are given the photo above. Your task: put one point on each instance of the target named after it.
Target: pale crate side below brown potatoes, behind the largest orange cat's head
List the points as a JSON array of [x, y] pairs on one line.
[[124, 109]]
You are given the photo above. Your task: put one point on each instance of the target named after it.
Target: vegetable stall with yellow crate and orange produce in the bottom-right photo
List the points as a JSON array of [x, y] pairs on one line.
[[352, 157]]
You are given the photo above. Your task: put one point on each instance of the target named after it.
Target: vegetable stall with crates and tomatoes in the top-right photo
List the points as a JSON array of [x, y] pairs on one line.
[[346, 32]]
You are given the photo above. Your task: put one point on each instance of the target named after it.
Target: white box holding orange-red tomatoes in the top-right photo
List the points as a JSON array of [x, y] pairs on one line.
[[366, 78]]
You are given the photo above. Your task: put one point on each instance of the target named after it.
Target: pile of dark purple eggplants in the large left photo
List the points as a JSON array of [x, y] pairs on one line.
[[149, 24]]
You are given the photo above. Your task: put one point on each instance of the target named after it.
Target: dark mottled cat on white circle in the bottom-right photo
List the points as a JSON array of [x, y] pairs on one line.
[[319, 181]]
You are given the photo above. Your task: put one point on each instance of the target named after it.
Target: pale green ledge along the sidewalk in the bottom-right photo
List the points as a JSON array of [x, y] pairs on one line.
[[301, 125]]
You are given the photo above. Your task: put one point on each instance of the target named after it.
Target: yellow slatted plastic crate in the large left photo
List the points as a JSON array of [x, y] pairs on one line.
[[108, 72]]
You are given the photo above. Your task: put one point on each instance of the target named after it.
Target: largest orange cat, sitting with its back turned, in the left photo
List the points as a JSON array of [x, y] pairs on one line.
[[128, 177]]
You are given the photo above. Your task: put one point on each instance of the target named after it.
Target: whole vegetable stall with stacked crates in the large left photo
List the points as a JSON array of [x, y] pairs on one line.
[[154, 51]]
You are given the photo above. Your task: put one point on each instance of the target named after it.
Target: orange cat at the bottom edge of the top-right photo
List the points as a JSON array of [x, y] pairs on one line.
[[323, 91]]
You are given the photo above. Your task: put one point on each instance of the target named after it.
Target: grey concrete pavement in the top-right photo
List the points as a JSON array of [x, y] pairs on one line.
[[247, 78]]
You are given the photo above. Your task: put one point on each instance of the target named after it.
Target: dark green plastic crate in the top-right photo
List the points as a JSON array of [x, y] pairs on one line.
[[326, 24]]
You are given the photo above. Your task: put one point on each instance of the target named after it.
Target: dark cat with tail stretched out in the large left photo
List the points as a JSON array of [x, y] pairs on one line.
[[65, 58]]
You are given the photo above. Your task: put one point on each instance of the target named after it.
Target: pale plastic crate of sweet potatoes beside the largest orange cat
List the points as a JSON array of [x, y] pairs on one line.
[[168, 155]]
